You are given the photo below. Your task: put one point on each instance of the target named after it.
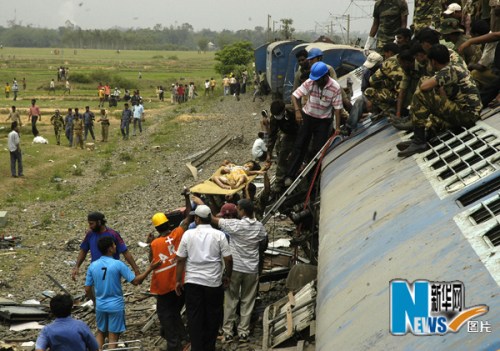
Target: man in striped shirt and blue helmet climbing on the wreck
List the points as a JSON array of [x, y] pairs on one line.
[[315, 118]]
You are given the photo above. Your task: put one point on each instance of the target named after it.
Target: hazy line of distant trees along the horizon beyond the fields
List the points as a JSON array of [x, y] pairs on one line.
[[181, 37]]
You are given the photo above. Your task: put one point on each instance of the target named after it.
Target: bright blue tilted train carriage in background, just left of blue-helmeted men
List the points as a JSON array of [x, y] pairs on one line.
[[276, 64]]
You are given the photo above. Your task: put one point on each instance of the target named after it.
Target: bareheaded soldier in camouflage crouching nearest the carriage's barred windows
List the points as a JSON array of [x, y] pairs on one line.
[[448, 100]]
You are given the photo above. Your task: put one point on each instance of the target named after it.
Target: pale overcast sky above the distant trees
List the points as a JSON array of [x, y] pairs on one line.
[[213, 14]]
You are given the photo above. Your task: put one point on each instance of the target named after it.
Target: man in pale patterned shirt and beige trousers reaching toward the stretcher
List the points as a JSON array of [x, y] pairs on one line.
[[246, 237]]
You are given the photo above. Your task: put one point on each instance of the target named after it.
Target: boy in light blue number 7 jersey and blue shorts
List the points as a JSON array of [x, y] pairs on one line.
[[105, 276]]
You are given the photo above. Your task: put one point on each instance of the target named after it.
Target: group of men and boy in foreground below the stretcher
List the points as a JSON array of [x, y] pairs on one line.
[[207, 263]]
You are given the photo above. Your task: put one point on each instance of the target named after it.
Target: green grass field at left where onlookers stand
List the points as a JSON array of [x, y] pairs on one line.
[[43, 163]]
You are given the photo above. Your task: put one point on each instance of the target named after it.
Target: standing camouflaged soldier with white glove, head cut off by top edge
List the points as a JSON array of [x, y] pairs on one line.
[[388, 17]]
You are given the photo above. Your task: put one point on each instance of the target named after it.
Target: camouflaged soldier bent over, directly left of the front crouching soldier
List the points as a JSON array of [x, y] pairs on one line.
[[385, 84]]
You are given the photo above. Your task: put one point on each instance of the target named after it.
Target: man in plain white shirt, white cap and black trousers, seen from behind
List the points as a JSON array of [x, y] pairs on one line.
[[200, 255]]
